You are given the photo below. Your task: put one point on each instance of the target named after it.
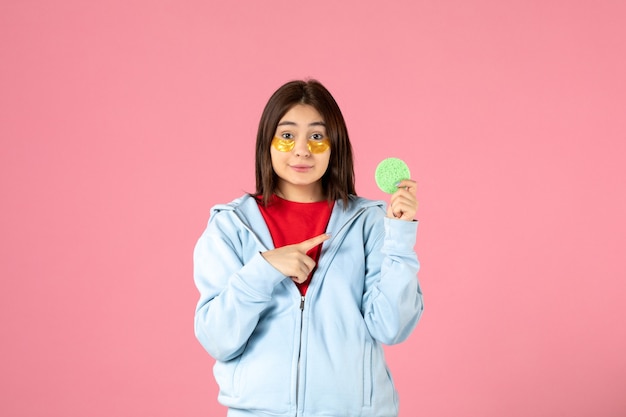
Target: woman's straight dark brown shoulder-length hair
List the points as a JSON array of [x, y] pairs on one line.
[[338, 181]]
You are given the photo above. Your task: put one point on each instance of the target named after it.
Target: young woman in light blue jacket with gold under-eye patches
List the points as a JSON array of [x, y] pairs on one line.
[[302, 282]]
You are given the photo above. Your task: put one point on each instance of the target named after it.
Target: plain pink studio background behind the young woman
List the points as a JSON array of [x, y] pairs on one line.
[[122, 122]]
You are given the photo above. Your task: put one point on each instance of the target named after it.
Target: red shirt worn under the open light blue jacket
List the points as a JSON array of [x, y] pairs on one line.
[[290, 222]]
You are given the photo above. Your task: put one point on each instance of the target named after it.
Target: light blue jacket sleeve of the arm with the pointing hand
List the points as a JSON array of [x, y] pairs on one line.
[[234, 291]]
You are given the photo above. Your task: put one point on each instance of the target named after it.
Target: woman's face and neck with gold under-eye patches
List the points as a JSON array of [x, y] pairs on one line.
[[300, 154]]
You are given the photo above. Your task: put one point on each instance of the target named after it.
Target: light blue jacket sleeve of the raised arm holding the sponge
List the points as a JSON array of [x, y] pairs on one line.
[[392, 302]]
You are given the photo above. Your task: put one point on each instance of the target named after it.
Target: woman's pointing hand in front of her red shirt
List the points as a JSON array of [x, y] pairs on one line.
[[292, 260]]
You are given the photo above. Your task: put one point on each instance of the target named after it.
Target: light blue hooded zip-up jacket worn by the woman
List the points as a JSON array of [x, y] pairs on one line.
[[279, 354]]
